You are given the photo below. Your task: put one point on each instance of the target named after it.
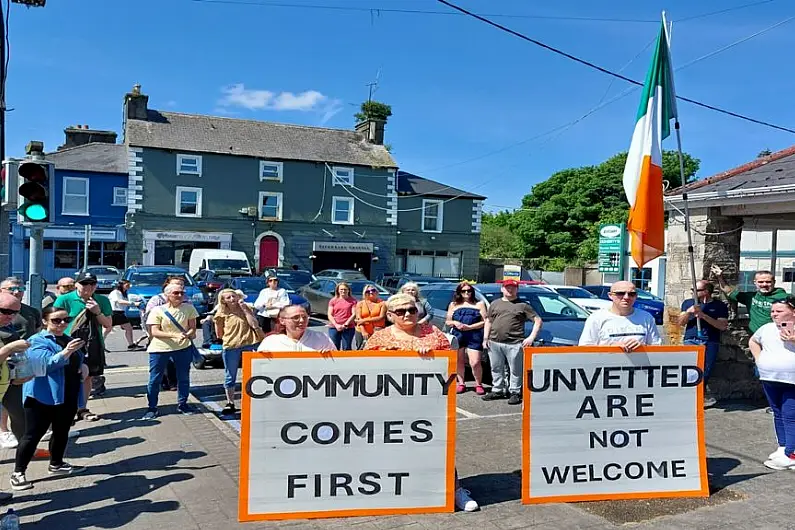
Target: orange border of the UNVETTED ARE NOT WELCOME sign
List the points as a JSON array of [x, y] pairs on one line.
[[702, 449]]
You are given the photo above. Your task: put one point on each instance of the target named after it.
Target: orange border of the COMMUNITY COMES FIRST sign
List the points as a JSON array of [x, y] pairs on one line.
[[245, 435]]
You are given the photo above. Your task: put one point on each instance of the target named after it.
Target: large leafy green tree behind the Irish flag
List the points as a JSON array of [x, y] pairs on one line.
[[559, 220]]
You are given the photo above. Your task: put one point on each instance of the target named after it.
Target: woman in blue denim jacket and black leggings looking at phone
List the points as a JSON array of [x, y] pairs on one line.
[[51, 399]]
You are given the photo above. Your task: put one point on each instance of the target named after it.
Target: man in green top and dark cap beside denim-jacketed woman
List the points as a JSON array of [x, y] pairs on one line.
[[91, 315]]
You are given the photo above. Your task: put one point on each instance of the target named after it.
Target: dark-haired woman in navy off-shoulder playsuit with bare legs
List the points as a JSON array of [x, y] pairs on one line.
[[466, 317]]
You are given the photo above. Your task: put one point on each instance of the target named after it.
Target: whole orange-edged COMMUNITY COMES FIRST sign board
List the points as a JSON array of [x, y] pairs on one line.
[[345, 434]]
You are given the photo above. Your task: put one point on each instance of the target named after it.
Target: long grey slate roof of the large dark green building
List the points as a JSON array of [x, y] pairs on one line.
[[260, 139]]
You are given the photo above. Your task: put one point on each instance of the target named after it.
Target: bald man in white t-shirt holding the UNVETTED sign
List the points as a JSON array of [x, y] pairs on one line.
[[622, 324]]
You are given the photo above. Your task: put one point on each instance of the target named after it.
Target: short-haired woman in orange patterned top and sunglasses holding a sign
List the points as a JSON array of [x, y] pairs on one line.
[[406, 333]]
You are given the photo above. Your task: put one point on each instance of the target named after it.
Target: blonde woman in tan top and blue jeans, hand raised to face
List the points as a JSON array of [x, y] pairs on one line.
[[237, 327]]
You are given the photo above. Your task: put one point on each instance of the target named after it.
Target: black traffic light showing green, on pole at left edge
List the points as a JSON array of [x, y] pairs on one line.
[[35, 203]]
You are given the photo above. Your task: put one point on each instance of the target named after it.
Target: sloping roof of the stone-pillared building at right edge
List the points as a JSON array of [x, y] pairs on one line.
[[775, 169]]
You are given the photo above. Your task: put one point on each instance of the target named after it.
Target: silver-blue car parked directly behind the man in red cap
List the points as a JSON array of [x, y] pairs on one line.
[[563, 319]]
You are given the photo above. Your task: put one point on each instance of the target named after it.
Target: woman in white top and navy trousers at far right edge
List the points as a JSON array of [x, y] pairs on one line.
[[773, 348]]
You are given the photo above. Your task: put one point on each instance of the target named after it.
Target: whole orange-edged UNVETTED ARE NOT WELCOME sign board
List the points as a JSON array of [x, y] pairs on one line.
[[600, 424]]
